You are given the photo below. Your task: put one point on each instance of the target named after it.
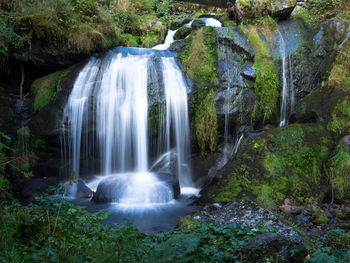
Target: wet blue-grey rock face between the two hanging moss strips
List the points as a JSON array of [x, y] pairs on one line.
[[234, 95]]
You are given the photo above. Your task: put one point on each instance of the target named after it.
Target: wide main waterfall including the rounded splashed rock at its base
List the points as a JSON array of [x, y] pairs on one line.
[[107, 118]]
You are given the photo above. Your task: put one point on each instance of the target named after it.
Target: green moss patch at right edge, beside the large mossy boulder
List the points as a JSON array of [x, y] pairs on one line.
[[339, 172]]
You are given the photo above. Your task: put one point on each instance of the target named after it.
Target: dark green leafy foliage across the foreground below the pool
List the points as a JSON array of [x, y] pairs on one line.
[[54, 230]]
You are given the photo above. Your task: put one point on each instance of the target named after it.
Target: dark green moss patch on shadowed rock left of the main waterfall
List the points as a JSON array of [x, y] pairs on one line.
[[46, 88]]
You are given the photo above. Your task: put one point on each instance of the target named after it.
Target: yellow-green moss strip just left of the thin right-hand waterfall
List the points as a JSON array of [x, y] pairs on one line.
[[266, 84]]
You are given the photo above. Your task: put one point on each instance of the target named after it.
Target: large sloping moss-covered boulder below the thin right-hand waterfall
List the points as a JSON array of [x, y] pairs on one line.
[[279, 163]]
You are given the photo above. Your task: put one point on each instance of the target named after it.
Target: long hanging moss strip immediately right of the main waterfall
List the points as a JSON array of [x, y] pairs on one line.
[[200, 65]]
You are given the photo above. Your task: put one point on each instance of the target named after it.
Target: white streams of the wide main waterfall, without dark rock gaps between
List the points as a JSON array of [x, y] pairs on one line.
[[107, 113]]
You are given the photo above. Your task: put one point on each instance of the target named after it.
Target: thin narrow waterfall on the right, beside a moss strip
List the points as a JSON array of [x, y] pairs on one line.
[[287, 103]]
